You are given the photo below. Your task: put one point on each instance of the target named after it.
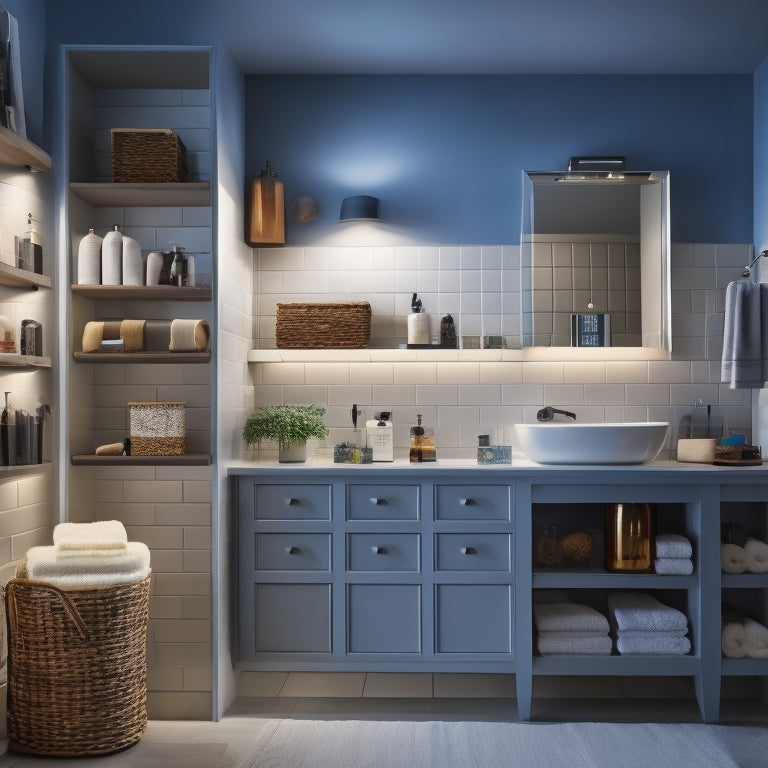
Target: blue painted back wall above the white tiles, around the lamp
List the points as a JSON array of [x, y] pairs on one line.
[[446, 153]]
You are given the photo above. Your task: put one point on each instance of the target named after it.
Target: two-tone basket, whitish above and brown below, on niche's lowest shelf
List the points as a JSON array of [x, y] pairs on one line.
[[157, 428]]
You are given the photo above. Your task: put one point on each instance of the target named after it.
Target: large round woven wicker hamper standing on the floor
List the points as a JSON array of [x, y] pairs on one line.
[[77, 667]]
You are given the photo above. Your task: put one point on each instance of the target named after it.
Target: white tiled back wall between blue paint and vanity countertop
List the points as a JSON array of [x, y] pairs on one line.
[[464, 399]]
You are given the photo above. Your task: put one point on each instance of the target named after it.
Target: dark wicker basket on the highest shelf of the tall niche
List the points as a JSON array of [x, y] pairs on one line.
[[148, 155]]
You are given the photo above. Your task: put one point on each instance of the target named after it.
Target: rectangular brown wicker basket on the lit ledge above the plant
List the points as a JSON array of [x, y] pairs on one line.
[[323, 325]]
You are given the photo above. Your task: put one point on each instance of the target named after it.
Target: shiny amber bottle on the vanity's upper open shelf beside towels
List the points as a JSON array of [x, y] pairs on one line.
[[629, 532]]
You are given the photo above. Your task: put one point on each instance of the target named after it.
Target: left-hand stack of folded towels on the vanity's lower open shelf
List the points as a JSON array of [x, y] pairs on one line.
[[566, 627]]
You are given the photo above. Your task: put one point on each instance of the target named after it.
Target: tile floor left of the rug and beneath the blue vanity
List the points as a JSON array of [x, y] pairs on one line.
[[273, 696]]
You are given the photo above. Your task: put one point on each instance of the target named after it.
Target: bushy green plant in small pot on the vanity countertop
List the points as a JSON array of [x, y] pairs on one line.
[[290, 426]]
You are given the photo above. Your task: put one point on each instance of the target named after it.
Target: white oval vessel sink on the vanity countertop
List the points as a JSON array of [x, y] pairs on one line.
[[574, 443]]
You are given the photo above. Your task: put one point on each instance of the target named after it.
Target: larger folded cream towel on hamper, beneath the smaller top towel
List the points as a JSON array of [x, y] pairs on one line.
[[43, 563]]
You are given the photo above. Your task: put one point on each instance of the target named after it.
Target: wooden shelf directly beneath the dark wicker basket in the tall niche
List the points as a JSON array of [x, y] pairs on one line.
[[107, 194]]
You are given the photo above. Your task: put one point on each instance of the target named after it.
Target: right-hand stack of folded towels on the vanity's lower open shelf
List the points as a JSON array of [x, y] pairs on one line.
[[643, 625]]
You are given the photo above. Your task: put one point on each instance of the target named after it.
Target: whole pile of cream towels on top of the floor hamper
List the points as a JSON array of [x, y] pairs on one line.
[[88, 555]]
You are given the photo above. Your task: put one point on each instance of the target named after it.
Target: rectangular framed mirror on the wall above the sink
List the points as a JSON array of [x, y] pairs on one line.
[[595, 260]]
